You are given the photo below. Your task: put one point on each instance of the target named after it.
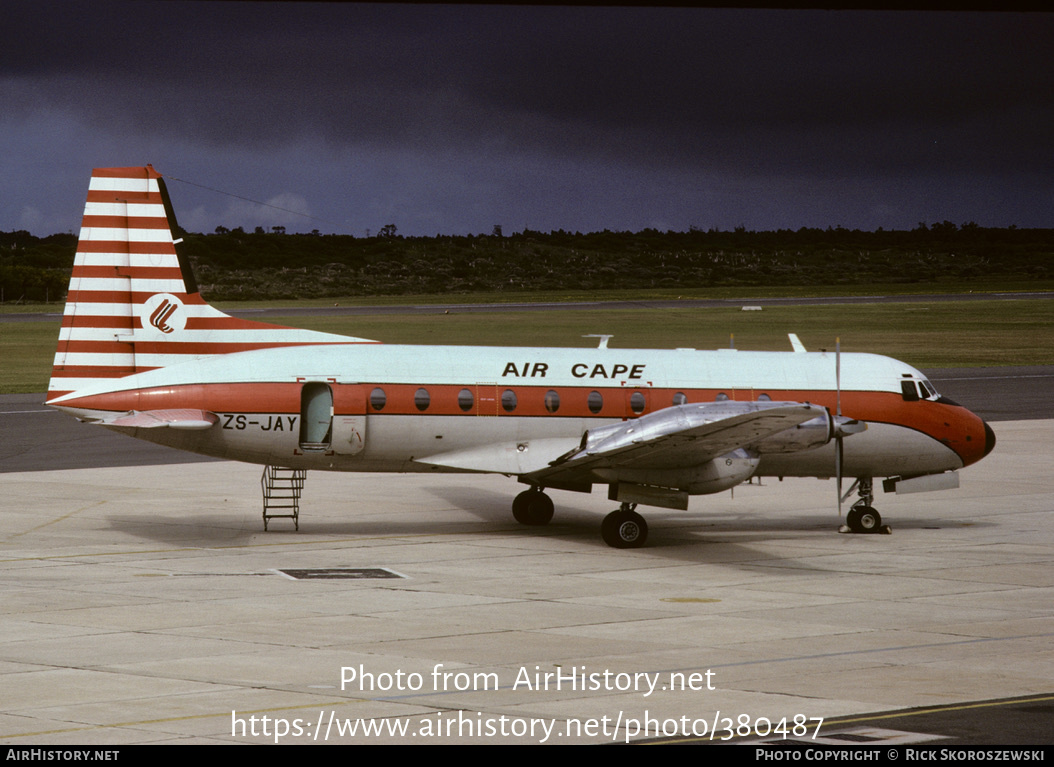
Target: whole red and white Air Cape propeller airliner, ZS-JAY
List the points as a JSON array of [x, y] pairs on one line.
[[141, 352]]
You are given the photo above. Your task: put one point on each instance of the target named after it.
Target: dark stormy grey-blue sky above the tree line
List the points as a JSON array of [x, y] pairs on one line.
[[455, 119]]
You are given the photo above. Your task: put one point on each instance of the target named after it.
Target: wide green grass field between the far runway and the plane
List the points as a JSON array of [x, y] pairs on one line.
[[928, 336]]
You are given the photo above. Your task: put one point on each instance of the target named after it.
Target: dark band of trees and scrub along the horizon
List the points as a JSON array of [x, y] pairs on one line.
[[240, 265]]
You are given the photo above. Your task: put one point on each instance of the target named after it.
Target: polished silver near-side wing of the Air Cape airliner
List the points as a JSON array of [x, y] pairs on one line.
[[689, 436]]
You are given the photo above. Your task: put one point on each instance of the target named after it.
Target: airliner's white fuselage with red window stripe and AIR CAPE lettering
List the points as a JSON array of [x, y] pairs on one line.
[[392, 408]]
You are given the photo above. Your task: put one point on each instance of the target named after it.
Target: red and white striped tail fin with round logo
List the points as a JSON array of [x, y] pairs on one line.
[[133, 304]]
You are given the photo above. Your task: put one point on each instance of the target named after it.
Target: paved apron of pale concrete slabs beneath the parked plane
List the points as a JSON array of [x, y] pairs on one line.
[[145, 604]]
